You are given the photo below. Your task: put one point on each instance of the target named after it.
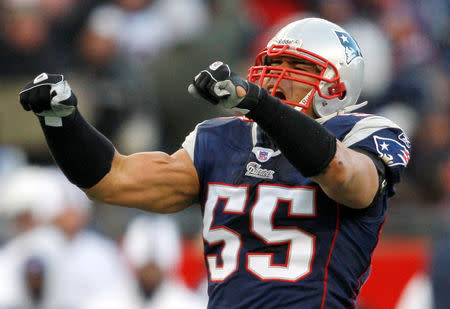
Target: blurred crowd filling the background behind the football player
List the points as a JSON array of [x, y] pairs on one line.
[[129, 62]]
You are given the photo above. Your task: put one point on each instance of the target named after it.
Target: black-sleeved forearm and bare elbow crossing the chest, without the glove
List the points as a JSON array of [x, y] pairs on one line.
[[346, 176]]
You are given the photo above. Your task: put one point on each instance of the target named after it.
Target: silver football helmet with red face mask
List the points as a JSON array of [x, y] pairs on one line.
[[336, 55]]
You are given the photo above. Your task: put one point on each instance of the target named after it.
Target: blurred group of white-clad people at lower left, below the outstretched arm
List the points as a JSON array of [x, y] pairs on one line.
[[53, 260]]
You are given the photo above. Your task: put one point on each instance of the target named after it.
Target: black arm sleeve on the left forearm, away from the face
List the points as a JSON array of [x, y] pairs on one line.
[[82, 153]]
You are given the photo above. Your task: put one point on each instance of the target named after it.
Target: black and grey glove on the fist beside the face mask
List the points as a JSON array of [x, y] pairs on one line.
[[217, 84]]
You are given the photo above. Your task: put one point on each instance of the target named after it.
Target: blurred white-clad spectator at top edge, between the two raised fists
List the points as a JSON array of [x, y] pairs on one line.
[[152, 26]]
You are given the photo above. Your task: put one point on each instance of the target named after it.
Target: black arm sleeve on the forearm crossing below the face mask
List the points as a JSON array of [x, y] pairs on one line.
[[304, 142]]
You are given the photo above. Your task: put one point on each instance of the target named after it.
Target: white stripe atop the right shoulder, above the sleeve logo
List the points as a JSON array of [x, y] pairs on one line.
[[367, 127]]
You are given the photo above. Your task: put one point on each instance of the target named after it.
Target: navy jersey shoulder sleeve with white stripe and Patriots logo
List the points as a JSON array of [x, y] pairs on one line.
[[378, 135]]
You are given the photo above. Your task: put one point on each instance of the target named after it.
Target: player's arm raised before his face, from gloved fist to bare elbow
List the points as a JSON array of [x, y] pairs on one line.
[[347, 176]]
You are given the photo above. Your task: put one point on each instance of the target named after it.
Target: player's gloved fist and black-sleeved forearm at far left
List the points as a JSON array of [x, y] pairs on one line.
[[82, 153]]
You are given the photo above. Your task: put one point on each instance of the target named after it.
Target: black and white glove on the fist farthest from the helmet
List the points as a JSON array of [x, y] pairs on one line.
[[48, 95]]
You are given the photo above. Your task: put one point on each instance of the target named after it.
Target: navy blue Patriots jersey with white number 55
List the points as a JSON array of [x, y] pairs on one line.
[[273, 238]]
